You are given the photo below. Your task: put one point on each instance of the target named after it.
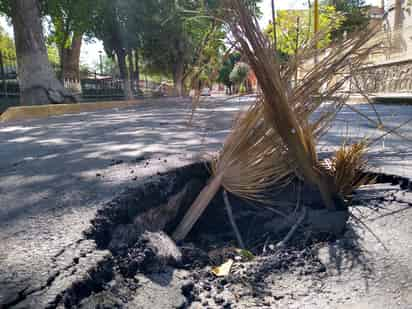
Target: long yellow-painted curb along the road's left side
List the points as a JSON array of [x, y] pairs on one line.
[[44, 111]]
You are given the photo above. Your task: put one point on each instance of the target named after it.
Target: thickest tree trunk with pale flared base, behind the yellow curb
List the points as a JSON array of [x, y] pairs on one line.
[[37, 80]]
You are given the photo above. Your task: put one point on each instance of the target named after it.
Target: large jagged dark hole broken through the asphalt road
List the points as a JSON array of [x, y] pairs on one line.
[[135, 226]]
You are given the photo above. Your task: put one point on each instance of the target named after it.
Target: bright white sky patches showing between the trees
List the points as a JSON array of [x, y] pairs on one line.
[[90, 51]]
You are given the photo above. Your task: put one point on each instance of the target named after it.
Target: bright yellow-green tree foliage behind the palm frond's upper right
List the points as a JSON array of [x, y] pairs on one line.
[[295, 28]]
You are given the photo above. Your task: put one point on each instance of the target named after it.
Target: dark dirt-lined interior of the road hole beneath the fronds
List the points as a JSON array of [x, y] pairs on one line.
[[159, 204]]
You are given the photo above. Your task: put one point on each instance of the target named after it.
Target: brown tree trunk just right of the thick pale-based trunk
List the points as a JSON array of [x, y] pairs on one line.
[[71, 59]]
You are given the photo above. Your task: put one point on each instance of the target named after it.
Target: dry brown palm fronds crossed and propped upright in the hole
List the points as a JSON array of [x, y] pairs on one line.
[[275, 140]]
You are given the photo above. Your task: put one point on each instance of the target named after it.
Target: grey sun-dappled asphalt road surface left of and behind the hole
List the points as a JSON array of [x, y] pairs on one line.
[[55, 172]]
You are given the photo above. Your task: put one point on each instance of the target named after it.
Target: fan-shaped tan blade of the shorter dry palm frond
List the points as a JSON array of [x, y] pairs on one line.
[[253, 157]]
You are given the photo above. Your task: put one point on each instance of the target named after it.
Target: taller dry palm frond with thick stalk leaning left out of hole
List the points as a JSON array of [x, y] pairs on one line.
[[287, 112]]
